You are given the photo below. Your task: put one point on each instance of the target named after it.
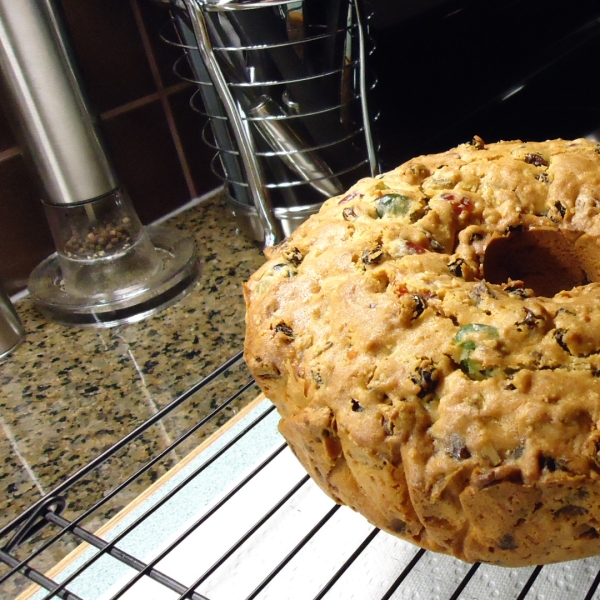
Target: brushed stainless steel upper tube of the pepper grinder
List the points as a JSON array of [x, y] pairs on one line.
[[58, 128]]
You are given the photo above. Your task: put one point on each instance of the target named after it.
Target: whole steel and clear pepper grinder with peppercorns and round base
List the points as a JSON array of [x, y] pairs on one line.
[[108, 268]]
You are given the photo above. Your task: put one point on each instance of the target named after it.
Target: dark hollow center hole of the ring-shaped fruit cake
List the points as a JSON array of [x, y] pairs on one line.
[[547, 260]]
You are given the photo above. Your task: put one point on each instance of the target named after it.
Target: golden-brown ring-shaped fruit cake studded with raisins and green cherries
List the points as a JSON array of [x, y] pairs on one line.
[[431, 340]]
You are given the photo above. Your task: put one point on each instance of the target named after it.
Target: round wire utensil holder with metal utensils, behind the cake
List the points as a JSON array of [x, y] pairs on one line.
[[284, 86]]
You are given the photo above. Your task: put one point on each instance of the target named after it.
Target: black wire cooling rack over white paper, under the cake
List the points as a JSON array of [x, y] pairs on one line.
[[265, 531]]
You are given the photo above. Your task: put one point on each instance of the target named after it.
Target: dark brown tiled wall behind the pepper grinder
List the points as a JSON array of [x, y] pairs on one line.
[[152, 135]]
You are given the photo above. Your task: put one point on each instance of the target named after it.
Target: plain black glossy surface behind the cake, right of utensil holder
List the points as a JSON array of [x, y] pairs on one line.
[[509, 69]]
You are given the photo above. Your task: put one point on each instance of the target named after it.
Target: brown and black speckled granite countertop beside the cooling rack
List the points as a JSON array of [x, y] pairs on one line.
[[70, 393]]
